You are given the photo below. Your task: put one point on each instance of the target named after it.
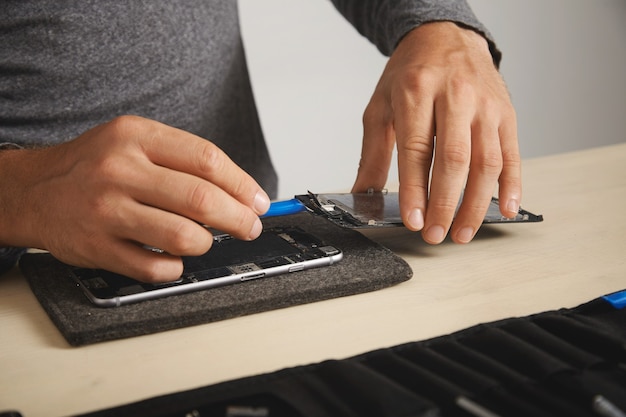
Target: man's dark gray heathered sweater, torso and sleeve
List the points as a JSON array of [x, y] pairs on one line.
[[68, 65]]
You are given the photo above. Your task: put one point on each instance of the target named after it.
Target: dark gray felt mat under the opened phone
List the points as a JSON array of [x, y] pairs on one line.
[[366, 266]]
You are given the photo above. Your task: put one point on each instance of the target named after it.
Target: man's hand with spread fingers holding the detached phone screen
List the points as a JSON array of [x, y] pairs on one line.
[[441, 82]]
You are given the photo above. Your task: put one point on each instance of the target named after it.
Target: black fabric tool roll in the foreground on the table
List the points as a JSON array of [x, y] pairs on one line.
[[570, 362]]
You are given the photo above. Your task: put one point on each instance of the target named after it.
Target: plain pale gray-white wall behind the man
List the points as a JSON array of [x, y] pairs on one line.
[[313, 74]]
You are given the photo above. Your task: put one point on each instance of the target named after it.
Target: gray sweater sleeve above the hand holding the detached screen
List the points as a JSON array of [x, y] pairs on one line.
[[385, 22]]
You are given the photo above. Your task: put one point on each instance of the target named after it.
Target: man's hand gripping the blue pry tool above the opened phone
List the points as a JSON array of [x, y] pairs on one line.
[[97, 200]]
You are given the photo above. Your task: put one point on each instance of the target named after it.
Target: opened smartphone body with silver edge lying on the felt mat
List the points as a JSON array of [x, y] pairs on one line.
[[276, 251]]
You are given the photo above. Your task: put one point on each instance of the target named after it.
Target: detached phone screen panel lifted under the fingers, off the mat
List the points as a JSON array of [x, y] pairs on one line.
[[382, 209]]
